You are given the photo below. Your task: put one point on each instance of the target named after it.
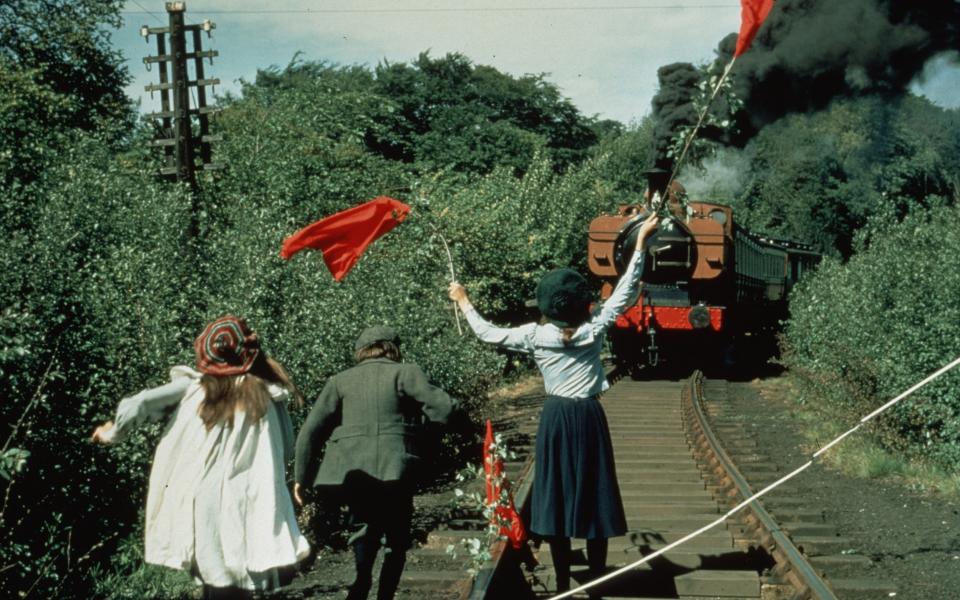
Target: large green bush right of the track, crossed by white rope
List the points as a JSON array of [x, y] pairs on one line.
[[865, 331]]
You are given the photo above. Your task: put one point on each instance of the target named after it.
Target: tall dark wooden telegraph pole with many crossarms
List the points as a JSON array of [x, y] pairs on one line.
[[186, 147]]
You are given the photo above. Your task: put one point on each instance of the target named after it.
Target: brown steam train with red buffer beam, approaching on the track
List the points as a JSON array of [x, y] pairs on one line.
[[709, 283]]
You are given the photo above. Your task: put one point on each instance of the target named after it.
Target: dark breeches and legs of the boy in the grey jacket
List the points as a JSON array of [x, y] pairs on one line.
[[381, 513]]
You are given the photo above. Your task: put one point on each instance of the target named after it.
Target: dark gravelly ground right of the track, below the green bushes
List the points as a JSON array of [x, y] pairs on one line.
[[871, 538]]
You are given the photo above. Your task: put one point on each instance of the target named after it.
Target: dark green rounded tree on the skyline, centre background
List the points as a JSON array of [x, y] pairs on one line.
[[450, 111]]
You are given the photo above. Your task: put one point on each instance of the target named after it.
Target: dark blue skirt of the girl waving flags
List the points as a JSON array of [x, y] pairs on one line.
[[575, 491]]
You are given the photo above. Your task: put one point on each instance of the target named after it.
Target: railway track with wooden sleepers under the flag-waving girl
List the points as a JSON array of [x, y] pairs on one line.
[[676, 476]]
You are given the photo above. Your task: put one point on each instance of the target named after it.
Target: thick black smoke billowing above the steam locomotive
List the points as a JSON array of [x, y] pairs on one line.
[[810, 52]]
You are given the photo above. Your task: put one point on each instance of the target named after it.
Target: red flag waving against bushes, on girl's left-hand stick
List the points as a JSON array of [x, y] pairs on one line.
[[342, 237]]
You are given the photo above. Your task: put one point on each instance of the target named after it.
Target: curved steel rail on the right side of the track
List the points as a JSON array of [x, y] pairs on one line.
[[798, 570]]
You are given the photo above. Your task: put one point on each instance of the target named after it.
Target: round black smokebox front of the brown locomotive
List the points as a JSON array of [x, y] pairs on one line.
[[671, 251]]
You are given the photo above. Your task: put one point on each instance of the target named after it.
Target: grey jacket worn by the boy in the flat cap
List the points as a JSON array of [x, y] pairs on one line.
[[368, 417]]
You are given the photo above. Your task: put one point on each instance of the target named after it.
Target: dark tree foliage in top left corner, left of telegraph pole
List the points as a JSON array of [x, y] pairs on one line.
[[57, 73]]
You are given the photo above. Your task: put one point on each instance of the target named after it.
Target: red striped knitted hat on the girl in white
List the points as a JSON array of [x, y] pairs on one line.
[[226, 347]]
